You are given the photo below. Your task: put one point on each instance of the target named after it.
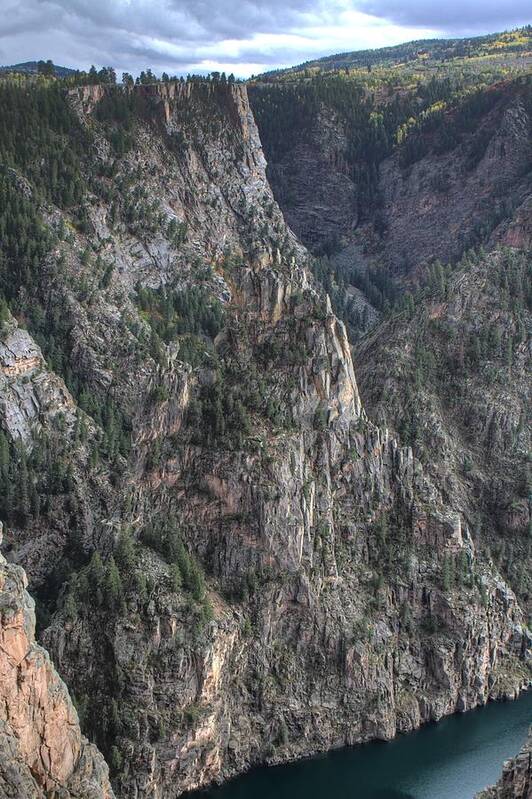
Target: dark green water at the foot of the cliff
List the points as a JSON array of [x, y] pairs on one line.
[[450, 760]]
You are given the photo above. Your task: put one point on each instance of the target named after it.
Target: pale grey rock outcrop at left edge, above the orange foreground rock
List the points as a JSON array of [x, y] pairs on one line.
[[36, 407]]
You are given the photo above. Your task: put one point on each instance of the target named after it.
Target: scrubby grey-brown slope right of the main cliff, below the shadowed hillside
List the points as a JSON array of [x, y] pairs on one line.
[[451, 376]]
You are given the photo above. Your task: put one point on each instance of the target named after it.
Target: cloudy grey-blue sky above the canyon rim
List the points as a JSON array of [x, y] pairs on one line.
[[240, 36]]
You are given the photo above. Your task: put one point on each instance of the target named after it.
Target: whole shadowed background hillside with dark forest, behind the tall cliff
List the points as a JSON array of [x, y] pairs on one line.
[[379, 179]]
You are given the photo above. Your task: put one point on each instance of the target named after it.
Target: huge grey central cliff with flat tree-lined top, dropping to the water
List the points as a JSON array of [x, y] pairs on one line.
[[234, 564]]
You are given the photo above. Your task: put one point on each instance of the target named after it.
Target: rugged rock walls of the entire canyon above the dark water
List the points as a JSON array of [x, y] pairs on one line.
[[250, 538]]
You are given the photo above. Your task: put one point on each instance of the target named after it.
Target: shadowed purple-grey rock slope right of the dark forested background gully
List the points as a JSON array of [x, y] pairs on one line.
[[444, 204]]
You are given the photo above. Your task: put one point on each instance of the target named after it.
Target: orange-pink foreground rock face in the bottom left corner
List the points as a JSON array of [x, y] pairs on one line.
[[42, 751]]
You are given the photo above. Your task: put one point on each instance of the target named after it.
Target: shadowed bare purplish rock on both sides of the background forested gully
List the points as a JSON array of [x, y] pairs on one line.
[[435, 205]]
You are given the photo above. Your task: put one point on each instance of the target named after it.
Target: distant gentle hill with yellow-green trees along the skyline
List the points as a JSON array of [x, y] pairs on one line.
[[516, 41]]
